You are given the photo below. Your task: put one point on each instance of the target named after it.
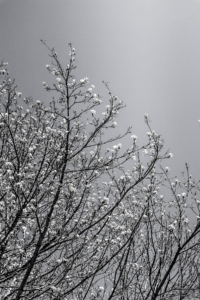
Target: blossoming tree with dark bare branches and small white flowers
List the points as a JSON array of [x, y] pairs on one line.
[[75, 222]]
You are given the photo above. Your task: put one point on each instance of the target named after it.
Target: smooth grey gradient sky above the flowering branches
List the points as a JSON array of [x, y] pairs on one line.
[[148, 51]]
